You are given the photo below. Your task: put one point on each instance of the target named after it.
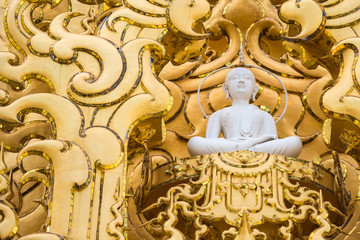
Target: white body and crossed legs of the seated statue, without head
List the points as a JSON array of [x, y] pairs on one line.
[[244, 128]]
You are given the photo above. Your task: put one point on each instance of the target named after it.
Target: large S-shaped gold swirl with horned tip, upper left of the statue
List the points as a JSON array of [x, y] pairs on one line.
[[113, 84]]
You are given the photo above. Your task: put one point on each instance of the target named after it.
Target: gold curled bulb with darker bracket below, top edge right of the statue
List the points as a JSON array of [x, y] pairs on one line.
[[306, 37]]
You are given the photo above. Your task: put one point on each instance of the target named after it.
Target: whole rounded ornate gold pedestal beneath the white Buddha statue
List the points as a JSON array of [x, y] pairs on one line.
[[246, 195]]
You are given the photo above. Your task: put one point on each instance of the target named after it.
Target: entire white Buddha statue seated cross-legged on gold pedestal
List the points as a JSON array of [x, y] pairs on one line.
[[243, 125]]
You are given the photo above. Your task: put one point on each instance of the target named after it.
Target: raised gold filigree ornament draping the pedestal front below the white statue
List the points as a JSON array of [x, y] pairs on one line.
[[220, 196]]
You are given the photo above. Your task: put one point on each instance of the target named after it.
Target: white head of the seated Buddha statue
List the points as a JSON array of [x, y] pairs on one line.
[[240, 83]]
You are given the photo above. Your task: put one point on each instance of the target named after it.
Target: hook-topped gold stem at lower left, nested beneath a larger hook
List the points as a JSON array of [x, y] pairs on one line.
[[64, 176]]
